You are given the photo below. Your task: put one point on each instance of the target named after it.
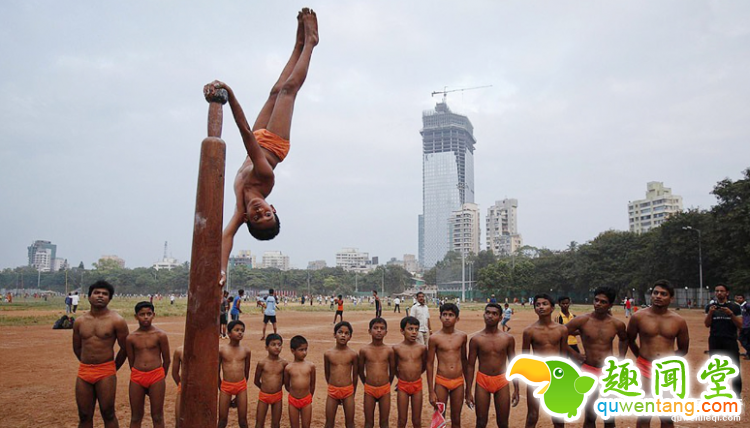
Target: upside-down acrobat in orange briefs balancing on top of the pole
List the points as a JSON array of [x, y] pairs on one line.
[[267, 143]]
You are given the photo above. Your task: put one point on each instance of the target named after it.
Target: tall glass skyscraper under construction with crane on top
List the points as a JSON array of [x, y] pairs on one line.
[[447, 178]]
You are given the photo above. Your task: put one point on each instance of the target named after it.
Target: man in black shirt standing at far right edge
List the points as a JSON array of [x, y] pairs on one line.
[[723, 318]]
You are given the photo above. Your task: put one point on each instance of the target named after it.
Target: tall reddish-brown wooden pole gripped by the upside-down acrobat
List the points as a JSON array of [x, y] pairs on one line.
[[200, 353]]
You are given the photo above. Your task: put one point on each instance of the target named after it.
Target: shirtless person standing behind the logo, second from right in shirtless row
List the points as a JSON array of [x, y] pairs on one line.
[[597, 331]]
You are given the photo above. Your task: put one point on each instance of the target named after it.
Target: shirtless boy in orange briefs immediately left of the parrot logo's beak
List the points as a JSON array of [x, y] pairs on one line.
[[494, 349]]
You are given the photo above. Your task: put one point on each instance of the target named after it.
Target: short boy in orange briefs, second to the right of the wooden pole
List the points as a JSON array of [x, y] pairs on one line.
[[269, 378]]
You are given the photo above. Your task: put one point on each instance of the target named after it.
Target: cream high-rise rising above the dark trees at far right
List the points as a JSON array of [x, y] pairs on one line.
[[659, 204]]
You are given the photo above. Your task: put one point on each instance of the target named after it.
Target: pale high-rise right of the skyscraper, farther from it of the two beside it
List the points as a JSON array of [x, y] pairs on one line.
[[502, 227]]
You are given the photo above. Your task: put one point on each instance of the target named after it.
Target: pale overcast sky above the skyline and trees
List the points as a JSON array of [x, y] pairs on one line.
[[102, 116]]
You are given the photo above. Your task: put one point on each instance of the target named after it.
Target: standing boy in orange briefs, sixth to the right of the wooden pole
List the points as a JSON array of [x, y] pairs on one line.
[[411, 361]]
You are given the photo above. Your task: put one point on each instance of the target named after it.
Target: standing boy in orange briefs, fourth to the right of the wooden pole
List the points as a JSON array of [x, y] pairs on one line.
[[341, 366]]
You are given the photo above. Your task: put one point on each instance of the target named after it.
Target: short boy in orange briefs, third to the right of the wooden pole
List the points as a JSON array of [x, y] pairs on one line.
[[299, 380]]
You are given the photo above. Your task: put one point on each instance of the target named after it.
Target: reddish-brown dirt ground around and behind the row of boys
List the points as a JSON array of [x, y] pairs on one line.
[[38, 367]]
